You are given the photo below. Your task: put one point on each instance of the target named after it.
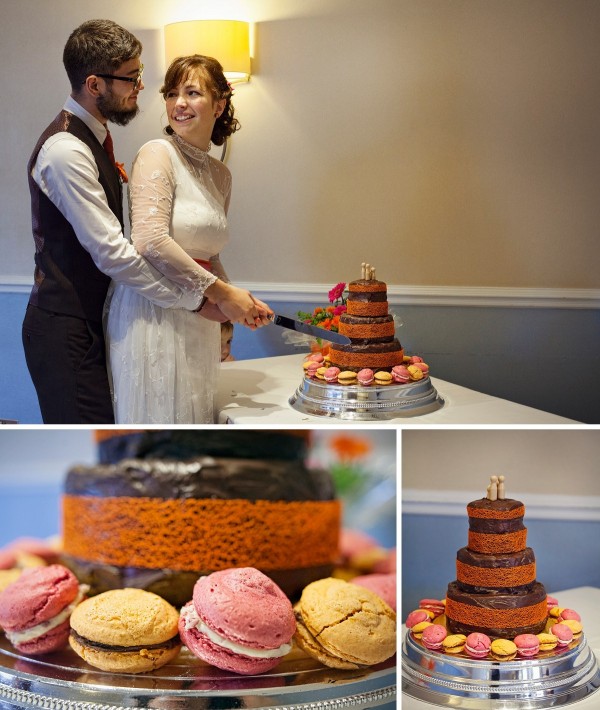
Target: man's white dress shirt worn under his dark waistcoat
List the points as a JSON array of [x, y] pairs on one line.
[[67, 174]]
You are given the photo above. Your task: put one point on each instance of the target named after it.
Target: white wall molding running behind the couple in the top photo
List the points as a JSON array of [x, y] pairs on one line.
[[466, 296]]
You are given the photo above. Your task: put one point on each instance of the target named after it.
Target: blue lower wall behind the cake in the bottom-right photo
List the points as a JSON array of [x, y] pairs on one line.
[[566, 551]]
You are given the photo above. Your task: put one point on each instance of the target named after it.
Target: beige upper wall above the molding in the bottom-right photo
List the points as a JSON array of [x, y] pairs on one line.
[[537, 462]]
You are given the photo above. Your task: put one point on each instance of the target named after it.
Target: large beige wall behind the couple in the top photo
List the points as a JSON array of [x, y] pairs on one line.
[[449, 142]]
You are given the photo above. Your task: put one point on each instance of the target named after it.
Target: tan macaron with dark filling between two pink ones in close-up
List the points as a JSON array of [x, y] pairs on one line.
[[125, 631]]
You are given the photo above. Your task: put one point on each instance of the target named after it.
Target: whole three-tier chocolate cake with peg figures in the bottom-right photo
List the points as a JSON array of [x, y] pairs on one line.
[[495, 591]]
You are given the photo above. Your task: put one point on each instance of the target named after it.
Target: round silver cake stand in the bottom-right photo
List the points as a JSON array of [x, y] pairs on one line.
[[546, 681]]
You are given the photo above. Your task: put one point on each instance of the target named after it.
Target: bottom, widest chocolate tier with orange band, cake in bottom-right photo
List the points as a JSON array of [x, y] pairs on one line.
[[496, 614]]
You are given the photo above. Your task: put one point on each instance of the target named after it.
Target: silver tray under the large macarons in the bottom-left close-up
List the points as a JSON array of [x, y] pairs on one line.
[[63, 681]]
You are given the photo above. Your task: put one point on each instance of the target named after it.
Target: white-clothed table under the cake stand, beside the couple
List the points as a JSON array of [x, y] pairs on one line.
[[257, 392]]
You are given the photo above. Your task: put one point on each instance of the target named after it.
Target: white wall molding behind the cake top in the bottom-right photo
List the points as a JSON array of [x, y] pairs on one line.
[[539, 506]]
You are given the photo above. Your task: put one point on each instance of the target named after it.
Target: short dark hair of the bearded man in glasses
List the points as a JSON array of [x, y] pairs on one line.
[[98, 46]]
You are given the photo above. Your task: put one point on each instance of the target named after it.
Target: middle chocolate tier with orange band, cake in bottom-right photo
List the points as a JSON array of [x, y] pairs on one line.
[[481, 573]]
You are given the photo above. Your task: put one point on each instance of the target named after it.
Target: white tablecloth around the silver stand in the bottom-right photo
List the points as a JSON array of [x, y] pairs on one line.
[[586, 602]]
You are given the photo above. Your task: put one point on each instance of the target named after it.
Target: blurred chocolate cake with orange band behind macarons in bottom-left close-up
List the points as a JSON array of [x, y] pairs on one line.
[[193, 502]]
